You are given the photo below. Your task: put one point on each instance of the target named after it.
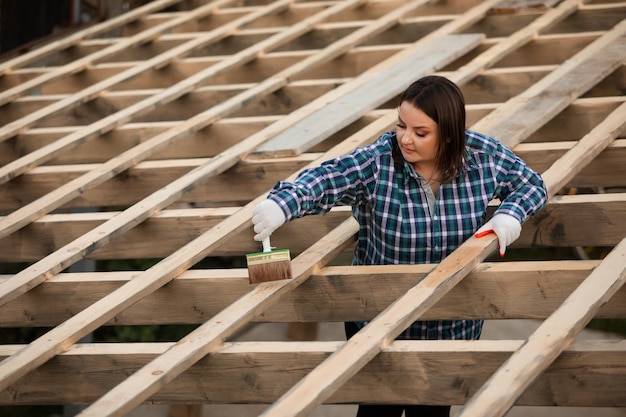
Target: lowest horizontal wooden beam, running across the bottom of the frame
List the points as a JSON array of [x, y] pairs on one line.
[[589, 373]]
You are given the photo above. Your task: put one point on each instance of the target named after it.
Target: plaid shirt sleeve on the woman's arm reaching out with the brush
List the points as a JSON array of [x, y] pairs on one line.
[[345, 180]]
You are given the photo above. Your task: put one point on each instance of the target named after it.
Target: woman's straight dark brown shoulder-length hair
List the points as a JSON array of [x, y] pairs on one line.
[[442, 101]]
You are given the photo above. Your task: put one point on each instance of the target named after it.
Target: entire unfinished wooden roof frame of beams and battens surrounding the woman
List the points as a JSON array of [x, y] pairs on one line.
[[190, 105]]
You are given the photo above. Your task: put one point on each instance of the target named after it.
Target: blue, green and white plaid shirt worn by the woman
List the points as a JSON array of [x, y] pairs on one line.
[[401, 222]]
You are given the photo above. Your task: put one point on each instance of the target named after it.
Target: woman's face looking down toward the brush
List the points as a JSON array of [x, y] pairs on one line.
[[418, 138]]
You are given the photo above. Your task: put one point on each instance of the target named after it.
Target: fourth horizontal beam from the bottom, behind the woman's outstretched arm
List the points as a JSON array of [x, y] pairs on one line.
[[252, 177]]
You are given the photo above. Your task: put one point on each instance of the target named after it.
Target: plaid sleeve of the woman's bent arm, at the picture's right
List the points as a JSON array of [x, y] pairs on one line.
[[521, 190]]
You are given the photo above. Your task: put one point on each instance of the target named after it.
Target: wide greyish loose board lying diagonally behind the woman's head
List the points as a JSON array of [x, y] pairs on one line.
[[374, 91]]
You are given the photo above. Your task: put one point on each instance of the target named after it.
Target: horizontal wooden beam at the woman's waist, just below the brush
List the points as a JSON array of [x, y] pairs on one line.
[[493, 291]]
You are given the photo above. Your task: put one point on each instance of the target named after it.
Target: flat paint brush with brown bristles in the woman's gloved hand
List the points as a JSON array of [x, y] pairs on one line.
[[269, 265]]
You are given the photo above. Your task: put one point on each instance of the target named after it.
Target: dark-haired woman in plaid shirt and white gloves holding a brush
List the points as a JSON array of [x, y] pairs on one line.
[[417, 193]]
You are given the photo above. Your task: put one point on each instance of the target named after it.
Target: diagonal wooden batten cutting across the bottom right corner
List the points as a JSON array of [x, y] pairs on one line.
[[510, 381]]
